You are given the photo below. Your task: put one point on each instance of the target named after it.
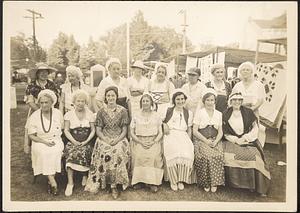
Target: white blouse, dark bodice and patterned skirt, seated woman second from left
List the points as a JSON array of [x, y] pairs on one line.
[[79, 158]]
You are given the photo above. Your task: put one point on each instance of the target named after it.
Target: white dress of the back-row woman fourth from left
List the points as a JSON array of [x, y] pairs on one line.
[[134, 84]]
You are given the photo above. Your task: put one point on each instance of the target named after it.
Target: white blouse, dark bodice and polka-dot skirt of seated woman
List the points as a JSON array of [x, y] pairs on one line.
[[209, 162]]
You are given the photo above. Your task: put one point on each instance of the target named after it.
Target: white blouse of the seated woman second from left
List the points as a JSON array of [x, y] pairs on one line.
[[76, 122]]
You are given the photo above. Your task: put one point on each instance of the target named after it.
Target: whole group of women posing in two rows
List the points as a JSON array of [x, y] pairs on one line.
[[144, 131]]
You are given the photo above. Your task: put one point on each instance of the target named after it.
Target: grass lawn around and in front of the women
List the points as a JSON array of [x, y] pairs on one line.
[[23, 189]]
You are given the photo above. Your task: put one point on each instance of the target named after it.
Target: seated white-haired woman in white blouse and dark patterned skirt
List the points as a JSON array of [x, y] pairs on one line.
[[79, 130]]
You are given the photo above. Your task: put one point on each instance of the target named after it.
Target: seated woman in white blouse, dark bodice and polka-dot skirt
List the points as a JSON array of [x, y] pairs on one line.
[[207, 132]]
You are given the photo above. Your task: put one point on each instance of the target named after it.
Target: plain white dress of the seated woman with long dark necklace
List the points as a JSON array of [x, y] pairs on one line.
[[46, 160]]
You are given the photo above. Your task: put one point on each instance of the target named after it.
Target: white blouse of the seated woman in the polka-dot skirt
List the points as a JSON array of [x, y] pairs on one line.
[[202, 119]]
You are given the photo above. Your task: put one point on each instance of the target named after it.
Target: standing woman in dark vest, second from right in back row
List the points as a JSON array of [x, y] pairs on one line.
[[221, 86]]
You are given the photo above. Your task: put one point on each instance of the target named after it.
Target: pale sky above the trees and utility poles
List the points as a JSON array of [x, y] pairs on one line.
[[219, 23]]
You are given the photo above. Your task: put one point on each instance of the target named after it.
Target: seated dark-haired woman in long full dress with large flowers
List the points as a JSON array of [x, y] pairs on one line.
[[111, 151]]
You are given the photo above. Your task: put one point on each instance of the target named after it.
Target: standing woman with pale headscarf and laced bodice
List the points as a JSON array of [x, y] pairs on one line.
[[161, 88]]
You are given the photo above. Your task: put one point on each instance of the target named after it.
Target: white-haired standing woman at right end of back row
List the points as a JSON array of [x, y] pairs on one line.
[[252, 90]]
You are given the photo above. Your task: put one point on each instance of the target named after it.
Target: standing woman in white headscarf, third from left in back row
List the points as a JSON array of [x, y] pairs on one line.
[[114, 68]]
